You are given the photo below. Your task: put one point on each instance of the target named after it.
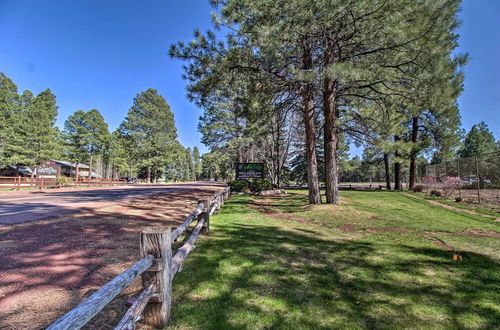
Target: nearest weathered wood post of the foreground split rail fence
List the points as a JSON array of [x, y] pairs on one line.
[[156, 241]]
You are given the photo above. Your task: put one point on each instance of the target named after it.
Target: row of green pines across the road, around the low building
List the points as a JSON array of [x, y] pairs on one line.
[[144, 145]]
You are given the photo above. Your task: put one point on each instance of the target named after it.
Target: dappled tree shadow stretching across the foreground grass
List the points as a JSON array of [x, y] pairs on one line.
[[249, 276]]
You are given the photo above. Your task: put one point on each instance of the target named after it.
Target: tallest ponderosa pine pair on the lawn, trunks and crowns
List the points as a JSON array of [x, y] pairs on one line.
[[352, 51]]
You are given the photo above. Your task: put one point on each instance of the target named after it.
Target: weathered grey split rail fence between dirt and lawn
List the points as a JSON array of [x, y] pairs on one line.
[[156, 268]]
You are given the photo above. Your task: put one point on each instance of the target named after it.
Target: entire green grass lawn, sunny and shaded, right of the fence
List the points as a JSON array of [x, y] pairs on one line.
[[380, 260]]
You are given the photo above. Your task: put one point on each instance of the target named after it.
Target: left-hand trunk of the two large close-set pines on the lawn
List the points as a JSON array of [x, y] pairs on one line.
[[308, 103]]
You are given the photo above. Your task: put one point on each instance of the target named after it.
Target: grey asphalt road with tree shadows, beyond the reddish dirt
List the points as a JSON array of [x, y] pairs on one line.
[[17, 207]]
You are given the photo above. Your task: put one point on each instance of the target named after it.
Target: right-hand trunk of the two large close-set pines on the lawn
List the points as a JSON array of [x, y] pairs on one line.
[[330, 144]]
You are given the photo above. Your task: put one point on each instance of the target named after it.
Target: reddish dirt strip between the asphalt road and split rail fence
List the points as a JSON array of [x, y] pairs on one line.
[[48, 267]]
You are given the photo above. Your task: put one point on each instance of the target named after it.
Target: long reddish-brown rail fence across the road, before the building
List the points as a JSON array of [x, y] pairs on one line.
[[20, 182]]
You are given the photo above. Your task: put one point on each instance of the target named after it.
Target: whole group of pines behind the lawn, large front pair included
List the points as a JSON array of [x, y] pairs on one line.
[[292, 82]]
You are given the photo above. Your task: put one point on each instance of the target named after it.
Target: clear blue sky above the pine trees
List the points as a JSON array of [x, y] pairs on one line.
[[100, 54]]
